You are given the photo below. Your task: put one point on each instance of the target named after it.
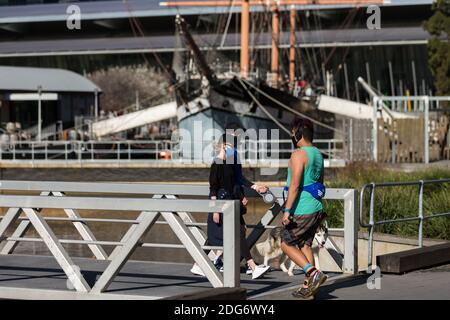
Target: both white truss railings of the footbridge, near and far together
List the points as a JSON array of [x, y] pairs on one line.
[[165, 203]]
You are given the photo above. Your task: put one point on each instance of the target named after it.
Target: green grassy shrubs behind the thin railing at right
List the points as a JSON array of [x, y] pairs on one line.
[[395, 202]]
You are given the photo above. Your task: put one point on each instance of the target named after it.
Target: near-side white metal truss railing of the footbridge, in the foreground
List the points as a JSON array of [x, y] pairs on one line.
[[150, 210]]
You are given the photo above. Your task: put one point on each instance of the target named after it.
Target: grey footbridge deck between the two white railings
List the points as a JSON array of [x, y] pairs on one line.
[[137, 280]]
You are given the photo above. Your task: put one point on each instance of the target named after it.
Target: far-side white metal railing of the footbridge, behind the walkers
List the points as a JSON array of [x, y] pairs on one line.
[[172, 191]]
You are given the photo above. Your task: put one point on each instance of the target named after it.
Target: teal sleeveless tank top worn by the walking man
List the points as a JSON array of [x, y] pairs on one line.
[[305, 202]]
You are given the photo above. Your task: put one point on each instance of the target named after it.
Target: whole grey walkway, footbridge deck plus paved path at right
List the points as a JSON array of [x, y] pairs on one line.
[[167, 279]]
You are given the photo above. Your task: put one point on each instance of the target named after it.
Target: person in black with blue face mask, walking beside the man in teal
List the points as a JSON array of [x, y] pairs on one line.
[[227, 183]]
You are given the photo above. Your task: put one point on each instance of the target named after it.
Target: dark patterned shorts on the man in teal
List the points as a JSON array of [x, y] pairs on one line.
[[302, 229]]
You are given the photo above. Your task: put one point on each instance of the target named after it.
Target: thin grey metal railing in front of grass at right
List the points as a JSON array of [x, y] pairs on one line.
[[420, 215]]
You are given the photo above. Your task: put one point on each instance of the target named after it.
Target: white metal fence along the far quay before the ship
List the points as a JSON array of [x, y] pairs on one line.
[[131, 150]]
